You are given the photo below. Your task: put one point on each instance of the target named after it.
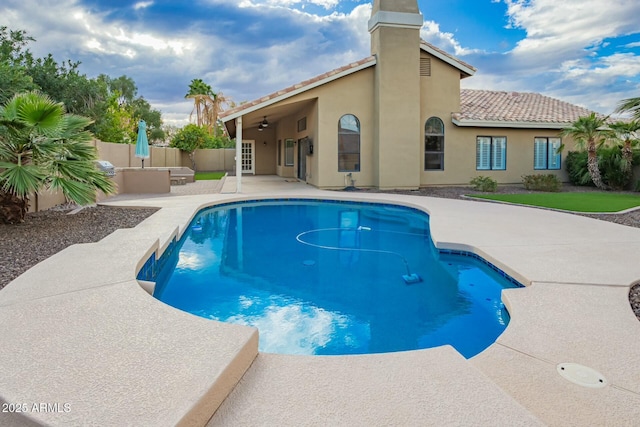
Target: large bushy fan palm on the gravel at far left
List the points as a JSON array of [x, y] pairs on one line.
[[42, 147]]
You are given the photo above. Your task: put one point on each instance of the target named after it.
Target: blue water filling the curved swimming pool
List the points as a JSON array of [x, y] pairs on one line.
[[331, 278]]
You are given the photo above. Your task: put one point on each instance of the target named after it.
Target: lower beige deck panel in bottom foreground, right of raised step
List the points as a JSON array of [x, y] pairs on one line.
[[427, 387]]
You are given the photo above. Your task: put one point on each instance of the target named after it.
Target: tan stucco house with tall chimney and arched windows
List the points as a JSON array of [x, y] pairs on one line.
[[399, 119]]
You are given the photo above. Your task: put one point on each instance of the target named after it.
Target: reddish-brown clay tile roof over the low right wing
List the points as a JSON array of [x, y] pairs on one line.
[[514, 107]]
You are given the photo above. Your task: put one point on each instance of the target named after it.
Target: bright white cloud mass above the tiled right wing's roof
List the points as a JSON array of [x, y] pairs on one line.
[[564, 52]]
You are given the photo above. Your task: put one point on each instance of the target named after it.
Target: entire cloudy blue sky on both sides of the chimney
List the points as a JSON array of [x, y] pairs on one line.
[[582, 51]]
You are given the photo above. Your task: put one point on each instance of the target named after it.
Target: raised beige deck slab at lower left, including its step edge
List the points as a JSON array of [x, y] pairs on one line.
[[113, 355]]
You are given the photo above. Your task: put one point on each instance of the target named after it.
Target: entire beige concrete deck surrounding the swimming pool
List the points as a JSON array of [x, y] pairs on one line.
[[81, 336]]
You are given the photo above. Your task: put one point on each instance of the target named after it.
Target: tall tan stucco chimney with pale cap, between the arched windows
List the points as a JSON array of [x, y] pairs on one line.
[[395, 41]]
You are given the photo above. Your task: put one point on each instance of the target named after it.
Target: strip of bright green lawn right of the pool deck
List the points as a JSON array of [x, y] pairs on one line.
[[577, 202]]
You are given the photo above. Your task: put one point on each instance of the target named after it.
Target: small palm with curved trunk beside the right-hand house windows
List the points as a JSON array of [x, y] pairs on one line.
[[590, 131]]
